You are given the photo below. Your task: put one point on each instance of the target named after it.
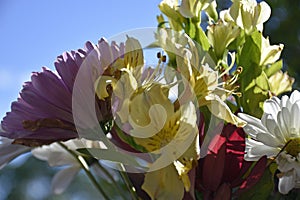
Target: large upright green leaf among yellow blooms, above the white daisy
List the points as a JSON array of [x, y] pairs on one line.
[[253, 81]]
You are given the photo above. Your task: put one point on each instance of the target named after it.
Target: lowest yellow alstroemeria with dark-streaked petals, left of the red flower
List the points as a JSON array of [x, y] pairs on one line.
[[177, 144]]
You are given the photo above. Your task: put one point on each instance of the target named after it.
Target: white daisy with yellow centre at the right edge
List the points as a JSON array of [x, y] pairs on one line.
[[277, 135]]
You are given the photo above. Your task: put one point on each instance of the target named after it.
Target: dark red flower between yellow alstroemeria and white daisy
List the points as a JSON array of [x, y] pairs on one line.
[[224, 167]]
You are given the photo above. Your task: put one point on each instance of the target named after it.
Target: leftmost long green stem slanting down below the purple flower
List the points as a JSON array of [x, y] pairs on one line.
[[86, 168]]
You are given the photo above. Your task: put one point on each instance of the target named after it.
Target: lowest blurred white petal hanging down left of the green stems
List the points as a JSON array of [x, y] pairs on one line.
[[63, 178]]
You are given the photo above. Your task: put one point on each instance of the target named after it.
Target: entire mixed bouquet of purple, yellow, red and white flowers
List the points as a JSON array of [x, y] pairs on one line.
[[196, 108]]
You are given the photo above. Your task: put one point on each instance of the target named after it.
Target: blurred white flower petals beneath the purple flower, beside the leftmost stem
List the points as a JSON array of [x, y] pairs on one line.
[[56, 155]]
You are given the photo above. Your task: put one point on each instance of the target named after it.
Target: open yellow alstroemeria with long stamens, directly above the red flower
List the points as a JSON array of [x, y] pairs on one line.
[[204, 83]]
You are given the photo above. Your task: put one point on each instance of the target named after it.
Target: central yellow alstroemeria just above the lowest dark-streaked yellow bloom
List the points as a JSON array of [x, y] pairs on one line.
[[132, 86]]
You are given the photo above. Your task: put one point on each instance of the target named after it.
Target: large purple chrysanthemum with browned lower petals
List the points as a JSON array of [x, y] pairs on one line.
[[43, 112]]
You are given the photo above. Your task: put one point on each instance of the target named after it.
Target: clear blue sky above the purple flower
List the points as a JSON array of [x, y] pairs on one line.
[[34, 32]]
